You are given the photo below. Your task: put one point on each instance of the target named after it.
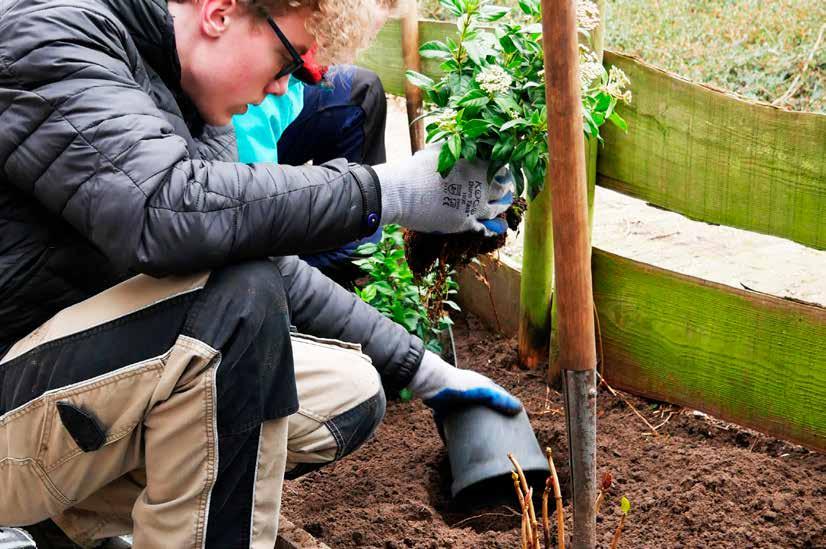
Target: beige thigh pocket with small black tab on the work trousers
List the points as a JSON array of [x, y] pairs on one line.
[[47, 459]]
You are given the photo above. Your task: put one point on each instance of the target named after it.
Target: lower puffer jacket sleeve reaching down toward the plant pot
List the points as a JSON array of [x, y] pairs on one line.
[[322, 308]]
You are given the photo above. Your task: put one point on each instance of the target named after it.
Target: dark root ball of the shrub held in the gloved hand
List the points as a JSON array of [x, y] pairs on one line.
[[456, 250]]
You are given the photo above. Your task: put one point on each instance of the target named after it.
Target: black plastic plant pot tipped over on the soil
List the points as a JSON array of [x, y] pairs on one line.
[[478, 441]]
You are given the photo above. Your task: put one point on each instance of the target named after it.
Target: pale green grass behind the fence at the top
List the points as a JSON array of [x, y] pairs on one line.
[[756, 48]]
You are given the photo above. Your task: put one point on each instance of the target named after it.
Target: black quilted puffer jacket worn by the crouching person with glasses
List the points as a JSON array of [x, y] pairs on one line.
[[103, 175]]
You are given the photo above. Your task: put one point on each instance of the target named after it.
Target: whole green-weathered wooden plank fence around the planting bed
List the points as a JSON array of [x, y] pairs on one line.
[[746, 357]]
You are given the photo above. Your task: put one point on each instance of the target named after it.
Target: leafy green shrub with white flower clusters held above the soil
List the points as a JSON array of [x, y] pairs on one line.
[[490, 102]]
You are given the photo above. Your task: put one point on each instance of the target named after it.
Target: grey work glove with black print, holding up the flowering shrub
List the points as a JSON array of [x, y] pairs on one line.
[[415, 196]]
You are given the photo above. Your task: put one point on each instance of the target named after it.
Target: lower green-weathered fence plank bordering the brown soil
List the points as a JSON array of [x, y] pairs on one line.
[[749, 358]]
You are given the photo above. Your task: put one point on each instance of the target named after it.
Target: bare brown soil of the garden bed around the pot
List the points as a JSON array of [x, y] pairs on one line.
[[702, 482]]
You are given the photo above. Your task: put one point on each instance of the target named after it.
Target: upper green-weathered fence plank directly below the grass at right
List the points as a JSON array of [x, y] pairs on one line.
[[716, 158]]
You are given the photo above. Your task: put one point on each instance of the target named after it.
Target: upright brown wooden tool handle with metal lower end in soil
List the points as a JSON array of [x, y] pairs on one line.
[[572, 257]]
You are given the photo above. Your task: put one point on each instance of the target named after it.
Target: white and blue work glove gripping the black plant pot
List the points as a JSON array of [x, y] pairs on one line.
[[444, 387]]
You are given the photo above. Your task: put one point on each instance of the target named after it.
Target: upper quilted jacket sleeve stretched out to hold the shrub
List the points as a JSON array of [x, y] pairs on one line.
[[81, 133]]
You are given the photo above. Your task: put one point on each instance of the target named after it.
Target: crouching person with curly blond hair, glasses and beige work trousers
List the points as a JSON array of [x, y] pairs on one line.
[[149, 378]]
